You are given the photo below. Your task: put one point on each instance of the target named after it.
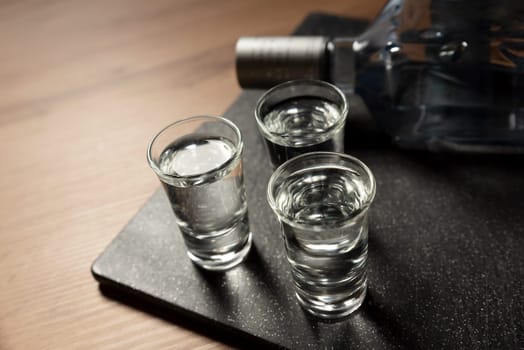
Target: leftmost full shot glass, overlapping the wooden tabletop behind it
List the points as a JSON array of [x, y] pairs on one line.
[[198, 161]]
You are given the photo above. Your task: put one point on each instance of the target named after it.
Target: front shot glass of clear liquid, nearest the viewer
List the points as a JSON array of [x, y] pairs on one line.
[[321, 200]]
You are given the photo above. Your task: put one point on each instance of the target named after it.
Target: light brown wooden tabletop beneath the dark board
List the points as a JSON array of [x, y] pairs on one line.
[[84, 85]]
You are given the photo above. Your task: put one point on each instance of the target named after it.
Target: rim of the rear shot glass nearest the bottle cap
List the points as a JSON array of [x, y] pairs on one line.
[[302, 82]]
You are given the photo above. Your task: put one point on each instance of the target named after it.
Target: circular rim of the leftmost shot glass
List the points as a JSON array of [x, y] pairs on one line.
[[201, 177]]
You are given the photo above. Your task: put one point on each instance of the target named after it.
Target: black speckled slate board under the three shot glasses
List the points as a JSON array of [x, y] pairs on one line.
[[446, 252]]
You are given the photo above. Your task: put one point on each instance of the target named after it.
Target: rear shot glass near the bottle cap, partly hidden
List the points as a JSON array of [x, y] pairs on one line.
[[301, 116]]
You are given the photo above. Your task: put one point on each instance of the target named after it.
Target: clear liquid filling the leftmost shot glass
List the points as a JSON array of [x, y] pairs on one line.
[[210, 203]]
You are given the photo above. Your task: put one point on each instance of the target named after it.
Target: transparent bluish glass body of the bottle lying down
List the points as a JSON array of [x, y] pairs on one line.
[[446, 75]]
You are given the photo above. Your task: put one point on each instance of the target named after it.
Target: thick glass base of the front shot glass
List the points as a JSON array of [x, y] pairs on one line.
[[333, 310]]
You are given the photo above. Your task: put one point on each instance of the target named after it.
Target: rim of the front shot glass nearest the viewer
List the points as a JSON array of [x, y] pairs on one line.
[[282, 168]]
